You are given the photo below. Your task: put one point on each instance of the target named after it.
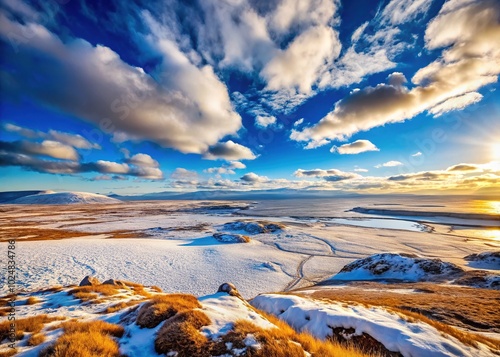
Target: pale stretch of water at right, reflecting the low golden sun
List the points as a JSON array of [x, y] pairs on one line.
[[467, 217]]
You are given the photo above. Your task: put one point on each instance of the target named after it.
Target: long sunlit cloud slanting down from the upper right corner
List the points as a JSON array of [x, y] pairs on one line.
[[470, 62]]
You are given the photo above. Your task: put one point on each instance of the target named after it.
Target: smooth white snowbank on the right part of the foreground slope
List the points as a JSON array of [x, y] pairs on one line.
[[394, 332]]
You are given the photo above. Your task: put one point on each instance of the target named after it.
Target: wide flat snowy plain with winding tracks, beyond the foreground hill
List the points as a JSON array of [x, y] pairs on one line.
[[174, 248]]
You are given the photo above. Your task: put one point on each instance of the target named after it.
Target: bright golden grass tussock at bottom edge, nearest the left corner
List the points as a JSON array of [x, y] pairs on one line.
[[86, 339]]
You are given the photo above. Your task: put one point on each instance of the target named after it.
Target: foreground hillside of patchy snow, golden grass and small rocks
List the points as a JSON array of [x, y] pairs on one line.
[[118, 318]]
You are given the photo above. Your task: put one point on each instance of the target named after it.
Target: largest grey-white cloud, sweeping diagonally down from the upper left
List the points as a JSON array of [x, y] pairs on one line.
[[185, 106]]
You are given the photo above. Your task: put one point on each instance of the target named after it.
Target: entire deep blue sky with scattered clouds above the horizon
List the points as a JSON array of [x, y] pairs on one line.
[[362, 96]]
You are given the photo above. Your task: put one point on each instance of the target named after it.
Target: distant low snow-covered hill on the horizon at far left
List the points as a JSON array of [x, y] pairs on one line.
[[64, 198]]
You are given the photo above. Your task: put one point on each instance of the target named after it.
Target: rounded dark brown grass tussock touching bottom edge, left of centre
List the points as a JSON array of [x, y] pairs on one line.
[[181, 333]]
